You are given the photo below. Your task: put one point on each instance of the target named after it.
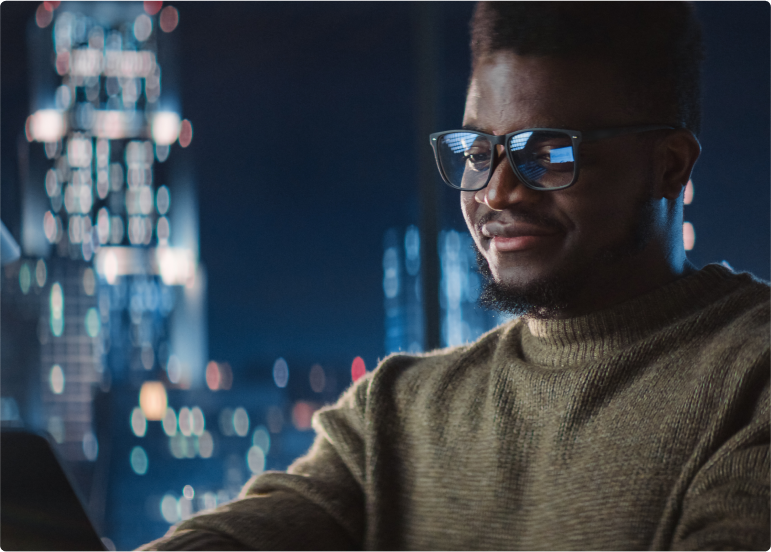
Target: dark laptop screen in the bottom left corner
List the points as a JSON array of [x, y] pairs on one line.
[[39, 508]]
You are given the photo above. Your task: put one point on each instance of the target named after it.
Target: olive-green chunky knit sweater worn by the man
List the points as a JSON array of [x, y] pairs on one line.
[[643, 427]]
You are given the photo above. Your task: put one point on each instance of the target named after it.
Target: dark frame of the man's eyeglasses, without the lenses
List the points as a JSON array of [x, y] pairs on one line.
[[576, 138]]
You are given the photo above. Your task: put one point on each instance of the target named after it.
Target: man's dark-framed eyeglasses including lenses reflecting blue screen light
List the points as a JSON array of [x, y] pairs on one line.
[[543, 158]]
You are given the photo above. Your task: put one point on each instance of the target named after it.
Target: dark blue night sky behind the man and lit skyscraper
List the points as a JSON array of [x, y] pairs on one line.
[[305, 154]]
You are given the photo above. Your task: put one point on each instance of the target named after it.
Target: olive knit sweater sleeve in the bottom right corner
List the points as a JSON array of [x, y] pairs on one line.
[[728, 504]]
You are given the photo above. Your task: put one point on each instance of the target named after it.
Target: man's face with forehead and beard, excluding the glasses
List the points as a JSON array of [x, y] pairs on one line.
[[552, 251]]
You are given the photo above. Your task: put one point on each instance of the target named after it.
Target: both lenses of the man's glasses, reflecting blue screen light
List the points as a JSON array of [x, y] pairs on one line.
[[544, 159]]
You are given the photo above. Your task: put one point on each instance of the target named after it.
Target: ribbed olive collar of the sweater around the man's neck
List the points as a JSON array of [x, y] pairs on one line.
[[571, 341]]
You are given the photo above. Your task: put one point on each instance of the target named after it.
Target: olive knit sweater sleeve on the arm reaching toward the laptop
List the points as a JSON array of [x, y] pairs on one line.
[[317, 504]]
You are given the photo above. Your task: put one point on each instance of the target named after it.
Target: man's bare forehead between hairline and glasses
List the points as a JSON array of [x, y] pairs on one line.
[[510, 92]]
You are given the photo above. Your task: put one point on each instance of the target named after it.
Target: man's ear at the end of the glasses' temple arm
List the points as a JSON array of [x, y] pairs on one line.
[[677, 154]]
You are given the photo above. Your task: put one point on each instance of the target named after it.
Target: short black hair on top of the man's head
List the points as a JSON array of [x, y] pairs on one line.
[[655, 45]]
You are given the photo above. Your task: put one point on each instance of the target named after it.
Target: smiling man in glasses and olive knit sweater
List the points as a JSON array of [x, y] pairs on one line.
[[629, 406]]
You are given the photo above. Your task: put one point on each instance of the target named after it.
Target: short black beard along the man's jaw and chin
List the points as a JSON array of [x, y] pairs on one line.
[[548, 296]]
